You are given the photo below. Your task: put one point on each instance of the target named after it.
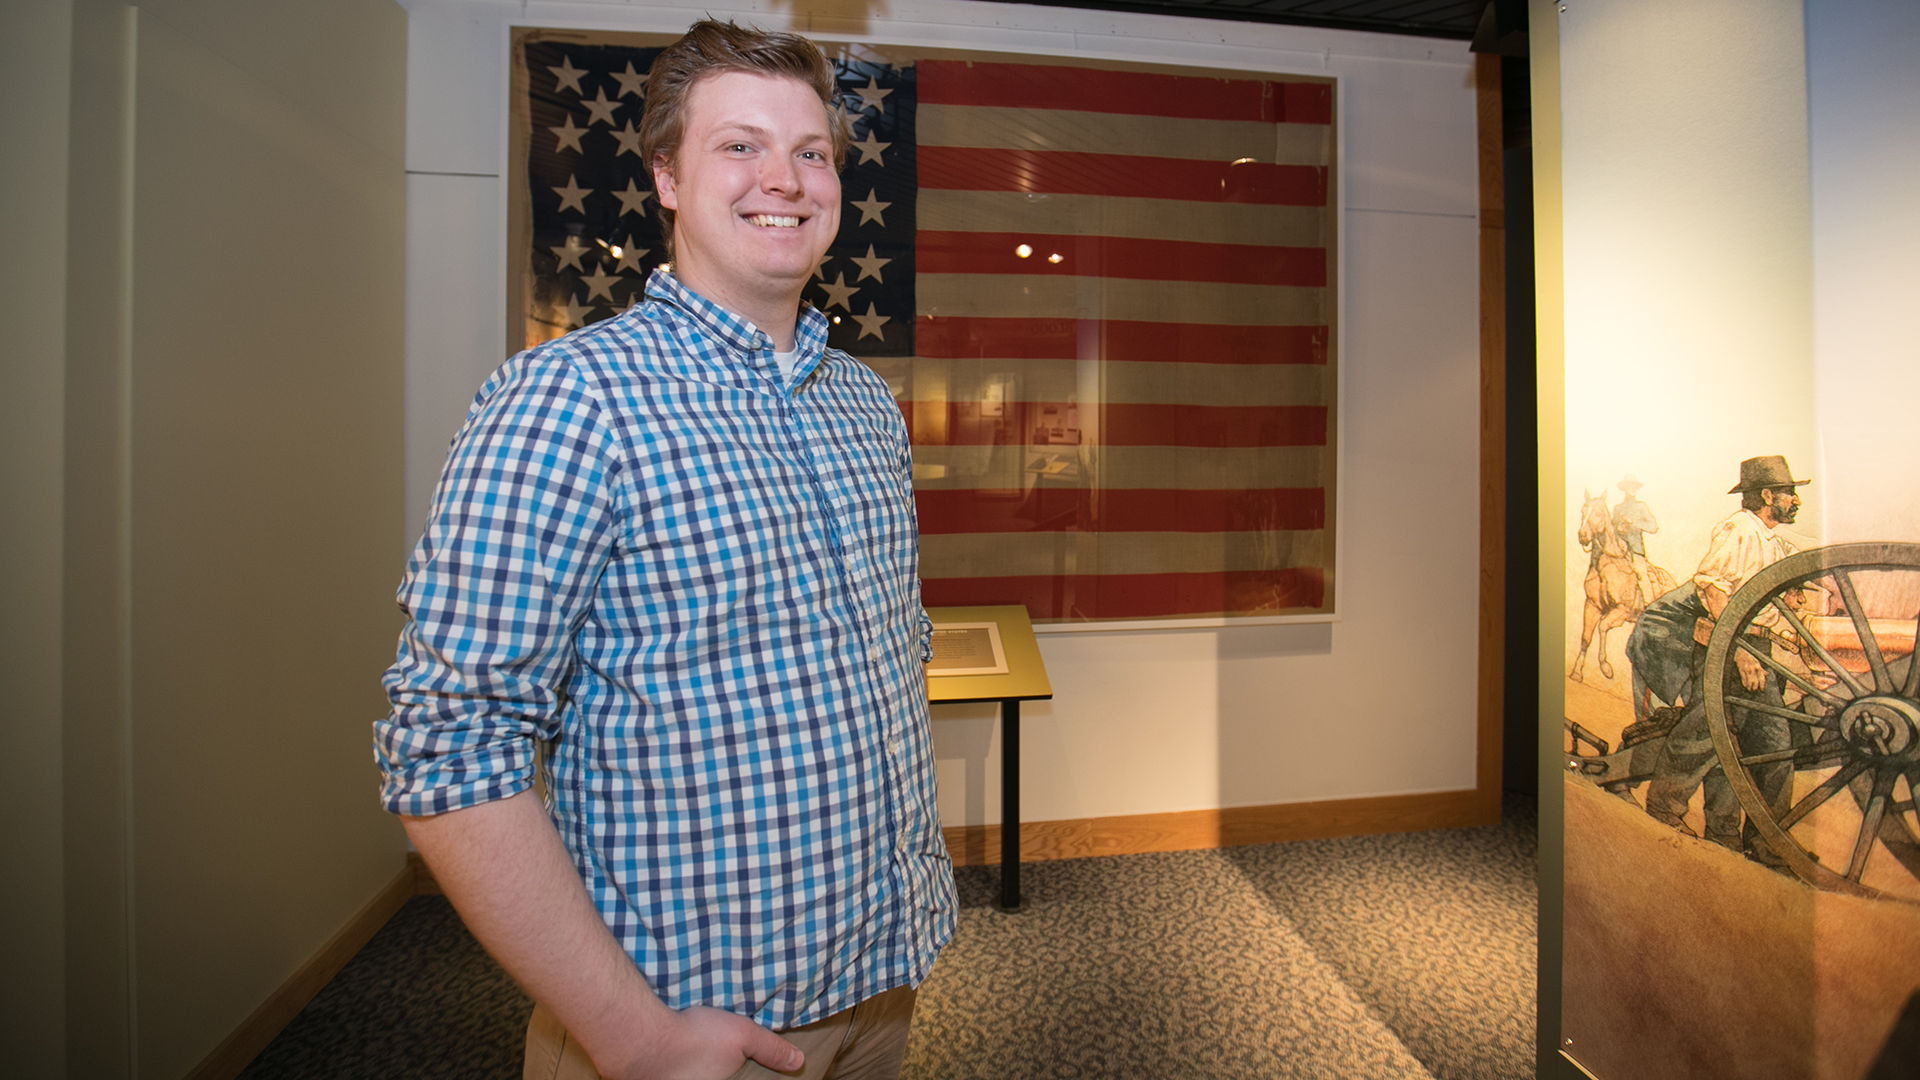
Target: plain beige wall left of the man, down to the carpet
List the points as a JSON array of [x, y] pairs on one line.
[[206, 458]]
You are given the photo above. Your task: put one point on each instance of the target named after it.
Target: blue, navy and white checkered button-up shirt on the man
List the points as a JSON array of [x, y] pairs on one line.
[[694, 587]]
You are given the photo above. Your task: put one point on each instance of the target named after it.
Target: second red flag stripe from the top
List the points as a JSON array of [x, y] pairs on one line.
[[1063, 172]]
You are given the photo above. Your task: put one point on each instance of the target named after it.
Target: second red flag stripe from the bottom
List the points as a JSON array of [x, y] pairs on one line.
[[1122, 510]]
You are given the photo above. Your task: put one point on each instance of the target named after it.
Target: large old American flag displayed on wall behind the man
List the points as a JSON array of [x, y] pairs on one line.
[[1099, 295]]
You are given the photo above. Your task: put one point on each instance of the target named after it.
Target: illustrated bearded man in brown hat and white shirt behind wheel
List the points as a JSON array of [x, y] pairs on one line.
[[1737, 551]]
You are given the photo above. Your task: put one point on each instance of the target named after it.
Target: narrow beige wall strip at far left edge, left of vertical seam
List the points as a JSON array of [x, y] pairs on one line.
[[34, 195]]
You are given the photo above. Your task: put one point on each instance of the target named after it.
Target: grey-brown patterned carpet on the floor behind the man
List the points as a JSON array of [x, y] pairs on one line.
[[1362, 958]]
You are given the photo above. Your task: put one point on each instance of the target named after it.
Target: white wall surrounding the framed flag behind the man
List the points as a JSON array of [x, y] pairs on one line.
[[1145, 722]]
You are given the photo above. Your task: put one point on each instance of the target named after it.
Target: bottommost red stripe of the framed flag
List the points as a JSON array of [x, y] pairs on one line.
[[1138, 597]]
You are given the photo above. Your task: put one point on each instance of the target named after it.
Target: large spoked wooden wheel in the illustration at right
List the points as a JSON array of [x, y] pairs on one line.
[[1856, 725]]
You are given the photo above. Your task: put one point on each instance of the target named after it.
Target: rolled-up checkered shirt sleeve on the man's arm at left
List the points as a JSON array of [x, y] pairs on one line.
[[521, 529]]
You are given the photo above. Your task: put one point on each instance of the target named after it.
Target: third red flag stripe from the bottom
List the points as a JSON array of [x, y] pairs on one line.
[[1120, 424]]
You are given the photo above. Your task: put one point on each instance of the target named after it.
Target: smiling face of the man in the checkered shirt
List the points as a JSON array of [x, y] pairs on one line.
[[754, 191]]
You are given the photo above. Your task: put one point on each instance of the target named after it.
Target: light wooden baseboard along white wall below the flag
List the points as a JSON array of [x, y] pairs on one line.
[[1191, 831]]
